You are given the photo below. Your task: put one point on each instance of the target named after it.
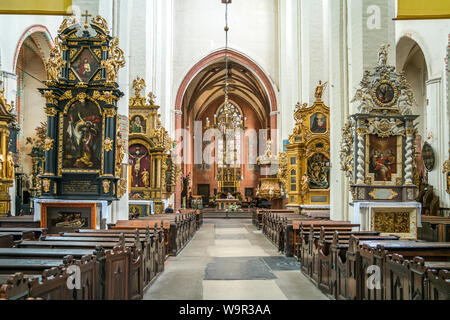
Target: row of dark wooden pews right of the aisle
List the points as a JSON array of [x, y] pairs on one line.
[[360, 265]]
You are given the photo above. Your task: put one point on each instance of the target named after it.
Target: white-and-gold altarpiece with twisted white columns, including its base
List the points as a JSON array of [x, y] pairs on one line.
[[378, 152]]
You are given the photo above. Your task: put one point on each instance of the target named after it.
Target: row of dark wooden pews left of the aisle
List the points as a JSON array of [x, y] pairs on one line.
[[114, 264]]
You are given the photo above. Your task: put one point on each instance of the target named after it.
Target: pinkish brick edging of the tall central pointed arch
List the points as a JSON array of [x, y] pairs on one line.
[[242, 59]]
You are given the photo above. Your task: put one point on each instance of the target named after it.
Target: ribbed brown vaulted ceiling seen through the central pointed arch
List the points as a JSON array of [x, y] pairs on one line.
[[208, 86]]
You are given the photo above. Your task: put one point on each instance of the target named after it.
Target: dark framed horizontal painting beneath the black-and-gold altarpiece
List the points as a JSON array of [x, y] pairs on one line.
[[68, 217]]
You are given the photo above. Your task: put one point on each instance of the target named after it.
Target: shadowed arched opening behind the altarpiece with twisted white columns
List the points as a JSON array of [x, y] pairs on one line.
[[411, 60]]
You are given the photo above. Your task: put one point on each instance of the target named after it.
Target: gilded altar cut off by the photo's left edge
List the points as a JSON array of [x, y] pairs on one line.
[[6, 157]]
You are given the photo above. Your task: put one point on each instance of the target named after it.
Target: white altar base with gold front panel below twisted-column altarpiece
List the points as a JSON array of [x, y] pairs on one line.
[[398, 218]]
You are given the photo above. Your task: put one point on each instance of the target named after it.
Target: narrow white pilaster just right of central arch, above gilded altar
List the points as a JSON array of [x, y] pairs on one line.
[[289, 61]]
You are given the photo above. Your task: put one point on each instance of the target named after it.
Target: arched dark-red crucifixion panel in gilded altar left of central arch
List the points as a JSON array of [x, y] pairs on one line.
[[140, 166]]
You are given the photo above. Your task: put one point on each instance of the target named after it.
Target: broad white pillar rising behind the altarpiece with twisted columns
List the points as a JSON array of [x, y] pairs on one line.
[[357, 28]]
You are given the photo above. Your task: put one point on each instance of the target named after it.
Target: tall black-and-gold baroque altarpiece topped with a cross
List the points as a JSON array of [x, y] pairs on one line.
[[83, 150]]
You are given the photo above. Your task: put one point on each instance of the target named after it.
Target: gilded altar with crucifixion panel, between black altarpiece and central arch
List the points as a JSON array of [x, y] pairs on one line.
[[154, 171]]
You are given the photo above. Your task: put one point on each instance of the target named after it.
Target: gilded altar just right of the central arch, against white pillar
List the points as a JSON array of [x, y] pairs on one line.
[[305, 165]]
